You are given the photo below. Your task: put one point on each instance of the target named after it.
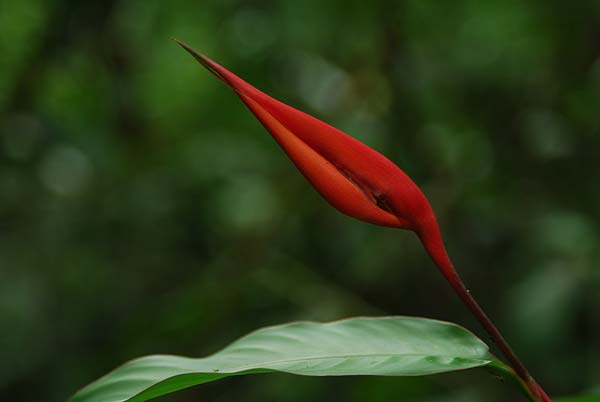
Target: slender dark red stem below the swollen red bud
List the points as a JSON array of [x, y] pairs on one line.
[[432, 240]]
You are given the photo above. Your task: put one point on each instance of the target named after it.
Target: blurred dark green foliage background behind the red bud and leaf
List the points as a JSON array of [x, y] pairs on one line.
[[144, 210]]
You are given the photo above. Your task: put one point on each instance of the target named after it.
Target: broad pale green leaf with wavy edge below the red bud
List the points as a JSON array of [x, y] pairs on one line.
[[390, 346]]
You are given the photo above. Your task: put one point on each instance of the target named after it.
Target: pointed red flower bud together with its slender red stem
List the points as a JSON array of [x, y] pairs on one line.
[[362, 183]]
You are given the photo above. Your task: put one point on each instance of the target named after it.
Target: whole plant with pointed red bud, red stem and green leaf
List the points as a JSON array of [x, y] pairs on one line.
[[361, 183]]
